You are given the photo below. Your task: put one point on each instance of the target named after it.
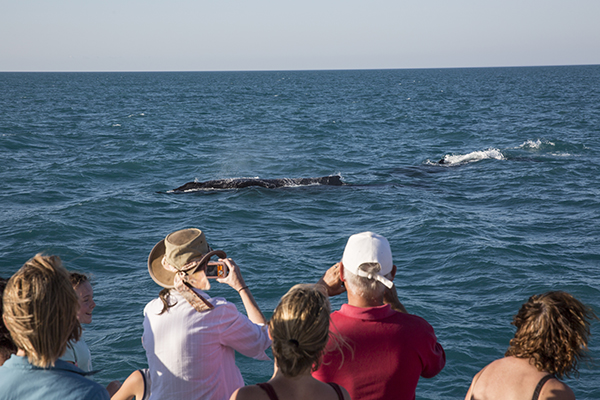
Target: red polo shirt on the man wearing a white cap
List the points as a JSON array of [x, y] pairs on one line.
[[390, 351]]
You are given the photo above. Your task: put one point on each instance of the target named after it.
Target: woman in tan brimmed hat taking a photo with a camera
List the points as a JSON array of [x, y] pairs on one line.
[[189, 337]]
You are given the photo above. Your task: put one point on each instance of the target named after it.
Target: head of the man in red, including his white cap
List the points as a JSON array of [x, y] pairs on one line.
[[367, 264]]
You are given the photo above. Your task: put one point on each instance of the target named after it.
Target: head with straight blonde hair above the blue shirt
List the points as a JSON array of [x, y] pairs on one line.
[[40, 309]]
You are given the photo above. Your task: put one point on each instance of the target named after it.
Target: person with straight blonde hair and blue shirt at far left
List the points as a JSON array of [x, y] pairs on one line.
[[40, 311]]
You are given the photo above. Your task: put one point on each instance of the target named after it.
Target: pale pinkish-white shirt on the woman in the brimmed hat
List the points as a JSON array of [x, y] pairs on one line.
[[191, 354]]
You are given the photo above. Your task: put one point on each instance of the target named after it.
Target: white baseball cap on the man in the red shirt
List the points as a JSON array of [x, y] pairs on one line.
[[368, 247]]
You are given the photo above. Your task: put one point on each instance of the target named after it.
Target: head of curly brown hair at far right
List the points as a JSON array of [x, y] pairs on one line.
[[552, 331]]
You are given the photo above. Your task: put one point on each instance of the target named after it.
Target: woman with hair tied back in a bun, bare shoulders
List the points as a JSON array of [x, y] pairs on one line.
[[299, 330]]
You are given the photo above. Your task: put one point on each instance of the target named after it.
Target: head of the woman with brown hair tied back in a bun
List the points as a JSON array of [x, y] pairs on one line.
[[299, 329]]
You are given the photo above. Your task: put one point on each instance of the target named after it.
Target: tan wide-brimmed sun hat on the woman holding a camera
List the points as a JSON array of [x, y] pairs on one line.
[[186, 250]]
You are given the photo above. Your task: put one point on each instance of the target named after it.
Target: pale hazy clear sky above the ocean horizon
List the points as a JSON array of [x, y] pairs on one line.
[[223, 35]]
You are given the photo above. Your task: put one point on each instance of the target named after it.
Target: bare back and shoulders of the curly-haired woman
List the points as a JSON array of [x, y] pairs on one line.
[[512, 378]]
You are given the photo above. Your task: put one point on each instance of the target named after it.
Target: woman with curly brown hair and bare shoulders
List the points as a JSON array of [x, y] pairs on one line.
[[551, 339]]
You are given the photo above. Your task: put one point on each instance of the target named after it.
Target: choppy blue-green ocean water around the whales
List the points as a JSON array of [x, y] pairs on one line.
[[514, 210]]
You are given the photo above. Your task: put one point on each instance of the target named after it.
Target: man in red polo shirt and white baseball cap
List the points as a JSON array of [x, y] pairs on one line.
[[388, 349]]
